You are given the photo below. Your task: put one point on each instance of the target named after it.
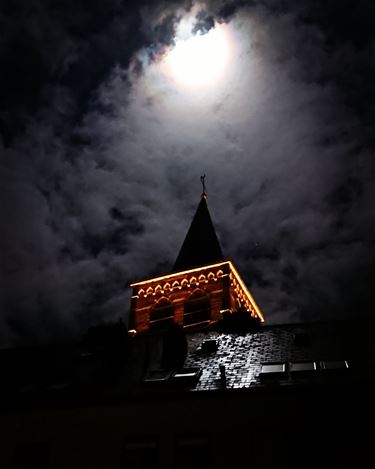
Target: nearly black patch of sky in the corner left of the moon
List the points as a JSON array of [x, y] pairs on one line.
[[70, 45]]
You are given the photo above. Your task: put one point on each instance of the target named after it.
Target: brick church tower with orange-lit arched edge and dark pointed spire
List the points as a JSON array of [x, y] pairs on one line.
[[202, 287]]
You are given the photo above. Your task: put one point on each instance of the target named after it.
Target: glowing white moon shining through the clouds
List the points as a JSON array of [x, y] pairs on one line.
[[199, 60]]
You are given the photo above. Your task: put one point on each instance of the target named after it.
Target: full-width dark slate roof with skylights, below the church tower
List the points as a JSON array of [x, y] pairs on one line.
[[284, 356]]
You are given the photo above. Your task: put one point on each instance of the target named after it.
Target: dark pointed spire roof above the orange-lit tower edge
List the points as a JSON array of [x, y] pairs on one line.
[[201, 246]]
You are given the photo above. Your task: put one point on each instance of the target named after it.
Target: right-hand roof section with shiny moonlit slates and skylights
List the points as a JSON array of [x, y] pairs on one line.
[[285, 355]]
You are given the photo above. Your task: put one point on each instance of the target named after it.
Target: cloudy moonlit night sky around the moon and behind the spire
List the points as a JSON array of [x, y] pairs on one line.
[[102, 149]]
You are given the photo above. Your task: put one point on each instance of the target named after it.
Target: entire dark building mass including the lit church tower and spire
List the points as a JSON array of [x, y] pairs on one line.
[[198, 381]]
